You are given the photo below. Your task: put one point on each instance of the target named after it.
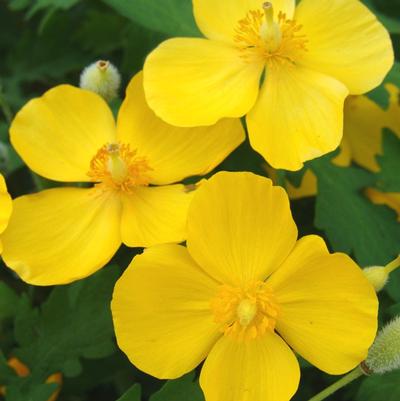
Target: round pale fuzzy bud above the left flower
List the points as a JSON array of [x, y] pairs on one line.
[[102, 78]]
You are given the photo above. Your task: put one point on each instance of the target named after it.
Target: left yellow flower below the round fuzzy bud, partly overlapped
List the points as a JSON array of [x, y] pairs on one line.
[[69, 135]]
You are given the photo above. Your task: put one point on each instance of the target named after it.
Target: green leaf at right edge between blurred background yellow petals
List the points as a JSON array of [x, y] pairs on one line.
[[389, 174]]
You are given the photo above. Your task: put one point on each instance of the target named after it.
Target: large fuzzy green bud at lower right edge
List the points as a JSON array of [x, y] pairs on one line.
[[384, 355]]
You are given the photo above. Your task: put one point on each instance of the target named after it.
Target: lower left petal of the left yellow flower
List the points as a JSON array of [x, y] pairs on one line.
[[61, 235]]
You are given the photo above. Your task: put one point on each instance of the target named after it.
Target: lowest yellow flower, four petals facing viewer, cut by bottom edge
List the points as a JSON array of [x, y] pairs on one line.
[[241, 295]]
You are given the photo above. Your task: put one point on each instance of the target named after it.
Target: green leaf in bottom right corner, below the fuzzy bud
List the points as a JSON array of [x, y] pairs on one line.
[[380, 387]]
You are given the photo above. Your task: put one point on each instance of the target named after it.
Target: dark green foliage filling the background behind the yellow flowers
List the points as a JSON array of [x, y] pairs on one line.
[[68, 329]]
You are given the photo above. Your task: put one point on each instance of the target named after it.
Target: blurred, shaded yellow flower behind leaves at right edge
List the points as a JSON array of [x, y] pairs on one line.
[[364, 122]]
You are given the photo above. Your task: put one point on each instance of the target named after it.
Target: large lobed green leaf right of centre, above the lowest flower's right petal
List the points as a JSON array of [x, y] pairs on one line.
[[351, 222]]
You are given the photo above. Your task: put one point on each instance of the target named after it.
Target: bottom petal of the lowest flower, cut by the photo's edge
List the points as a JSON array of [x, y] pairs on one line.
[[264, 369]]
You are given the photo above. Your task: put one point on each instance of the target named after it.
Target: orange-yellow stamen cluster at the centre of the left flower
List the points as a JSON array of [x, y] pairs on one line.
[[116, 166]]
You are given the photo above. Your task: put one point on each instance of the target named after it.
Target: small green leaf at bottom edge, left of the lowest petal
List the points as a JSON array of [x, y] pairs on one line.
[[182, 389]]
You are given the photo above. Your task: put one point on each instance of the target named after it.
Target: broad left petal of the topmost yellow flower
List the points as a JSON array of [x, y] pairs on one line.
[[192, 82]]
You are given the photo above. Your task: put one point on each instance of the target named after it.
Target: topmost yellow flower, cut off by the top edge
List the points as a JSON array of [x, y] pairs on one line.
[[310, 58]]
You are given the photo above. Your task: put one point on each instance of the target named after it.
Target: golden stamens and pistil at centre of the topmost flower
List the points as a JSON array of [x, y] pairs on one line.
[[260, 38]]
